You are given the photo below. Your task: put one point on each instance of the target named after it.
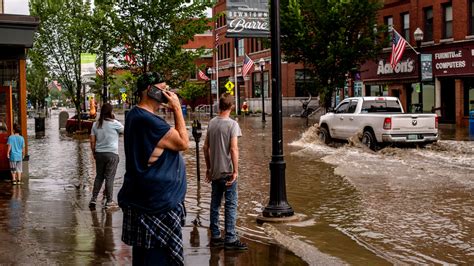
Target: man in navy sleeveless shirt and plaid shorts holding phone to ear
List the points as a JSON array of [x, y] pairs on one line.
[[154, 187]]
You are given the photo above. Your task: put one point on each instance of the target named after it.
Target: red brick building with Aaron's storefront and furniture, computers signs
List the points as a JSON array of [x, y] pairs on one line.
[[448, 28]]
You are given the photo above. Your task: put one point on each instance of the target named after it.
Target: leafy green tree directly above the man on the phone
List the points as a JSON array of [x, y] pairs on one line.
[[154, 32]]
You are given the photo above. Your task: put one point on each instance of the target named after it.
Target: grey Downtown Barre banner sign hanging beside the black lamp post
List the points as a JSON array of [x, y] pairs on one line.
[[247, 18]]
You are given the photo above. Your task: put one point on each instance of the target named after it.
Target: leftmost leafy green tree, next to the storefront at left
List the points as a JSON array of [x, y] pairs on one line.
[[64, 33]]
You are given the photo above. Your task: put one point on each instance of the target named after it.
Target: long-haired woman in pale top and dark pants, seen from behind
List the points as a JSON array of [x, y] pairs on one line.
[[104, 145]]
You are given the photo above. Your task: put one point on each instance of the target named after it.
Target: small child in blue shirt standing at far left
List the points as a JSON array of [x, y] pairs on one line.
[[15, 154]]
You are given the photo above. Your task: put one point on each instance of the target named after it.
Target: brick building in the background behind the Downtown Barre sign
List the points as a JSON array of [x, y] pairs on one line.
[[293, 78]]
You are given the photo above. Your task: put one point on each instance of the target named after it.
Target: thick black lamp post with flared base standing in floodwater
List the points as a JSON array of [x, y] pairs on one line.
[[278, 205]]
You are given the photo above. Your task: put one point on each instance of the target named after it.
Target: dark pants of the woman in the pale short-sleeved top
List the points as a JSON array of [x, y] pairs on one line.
[[106, 166]]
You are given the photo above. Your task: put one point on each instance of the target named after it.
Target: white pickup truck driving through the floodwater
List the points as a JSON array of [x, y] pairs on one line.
[[380, 120]]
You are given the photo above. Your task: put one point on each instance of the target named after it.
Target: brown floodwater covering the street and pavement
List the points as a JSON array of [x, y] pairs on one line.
[[393, 206]]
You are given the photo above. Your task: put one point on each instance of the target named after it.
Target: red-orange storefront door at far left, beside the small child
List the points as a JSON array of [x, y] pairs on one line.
[[5, 124]]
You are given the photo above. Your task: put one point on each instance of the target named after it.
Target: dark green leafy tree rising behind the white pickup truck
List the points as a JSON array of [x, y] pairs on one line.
[[330, 37]]
